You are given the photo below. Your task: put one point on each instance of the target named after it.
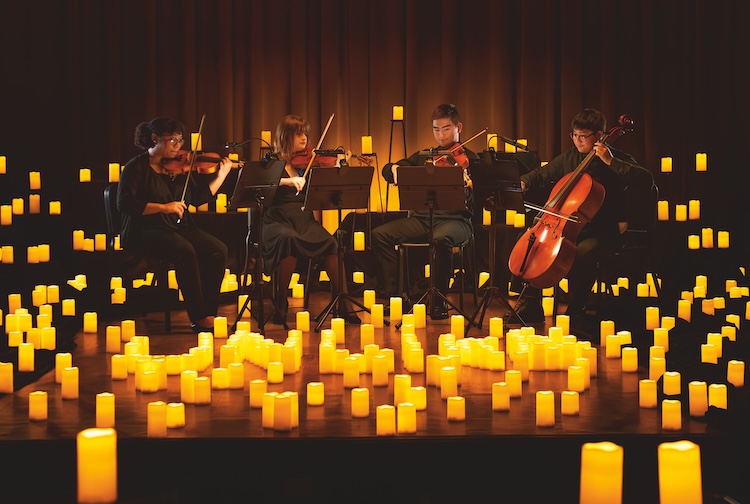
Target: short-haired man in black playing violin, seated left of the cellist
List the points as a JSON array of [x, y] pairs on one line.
[[451, 228]]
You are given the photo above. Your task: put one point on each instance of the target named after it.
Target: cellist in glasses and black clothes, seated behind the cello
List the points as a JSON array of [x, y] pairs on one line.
[[599, 237]]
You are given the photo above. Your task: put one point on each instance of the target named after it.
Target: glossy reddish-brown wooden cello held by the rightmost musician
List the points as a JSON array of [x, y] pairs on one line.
[[545, 252]]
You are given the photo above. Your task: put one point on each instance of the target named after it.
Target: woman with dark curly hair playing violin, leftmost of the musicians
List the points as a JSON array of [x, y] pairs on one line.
[[155, 221]]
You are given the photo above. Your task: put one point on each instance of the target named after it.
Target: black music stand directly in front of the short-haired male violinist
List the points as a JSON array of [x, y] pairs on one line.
[[419, 187]]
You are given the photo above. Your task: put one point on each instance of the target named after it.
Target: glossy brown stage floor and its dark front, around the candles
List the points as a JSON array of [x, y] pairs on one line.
[[224, 454]]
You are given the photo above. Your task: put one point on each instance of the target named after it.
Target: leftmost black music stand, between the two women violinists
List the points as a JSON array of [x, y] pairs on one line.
[[256, 184]]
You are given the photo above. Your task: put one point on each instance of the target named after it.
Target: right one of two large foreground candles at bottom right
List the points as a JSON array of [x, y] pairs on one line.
[[680, 480]]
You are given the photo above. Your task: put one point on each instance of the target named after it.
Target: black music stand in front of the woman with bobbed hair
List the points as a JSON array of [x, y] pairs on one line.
[[338, 188]]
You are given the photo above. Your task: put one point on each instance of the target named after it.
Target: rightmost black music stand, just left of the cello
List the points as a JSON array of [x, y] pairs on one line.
[[497, 187]]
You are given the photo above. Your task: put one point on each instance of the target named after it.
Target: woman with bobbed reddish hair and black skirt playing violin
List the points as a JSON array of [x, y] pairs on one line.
[[289, 232]]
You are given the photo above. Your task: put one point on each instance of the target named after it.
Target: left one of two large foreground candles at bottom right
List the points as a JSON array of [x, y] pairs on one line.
[[601, 473]]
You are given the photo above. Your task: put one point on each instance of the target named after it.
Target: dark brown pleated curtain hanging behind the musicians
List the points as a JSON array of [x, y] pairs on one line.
[[79, 75]]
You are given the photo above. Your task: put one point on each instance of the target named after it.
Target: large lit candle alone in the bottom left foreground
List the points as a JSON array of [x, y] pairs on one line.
[[96, 451]]
